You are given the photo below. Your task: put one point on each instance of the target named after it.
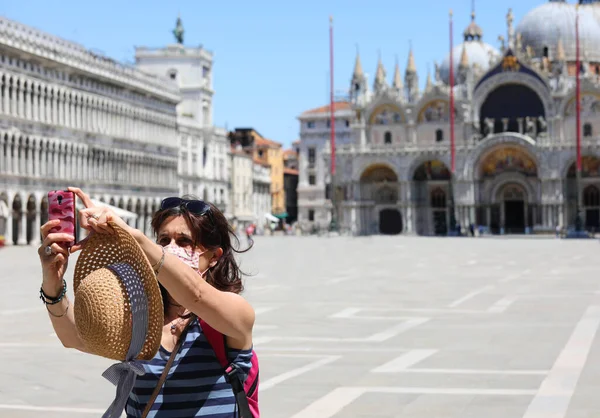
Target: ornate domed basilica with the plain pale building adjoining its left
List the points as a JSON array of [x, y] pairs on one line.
[[515, 136]]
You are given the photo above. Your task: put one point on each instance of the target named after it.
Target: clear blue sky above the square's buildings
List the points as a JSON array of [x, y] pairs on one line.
[[272, 57]]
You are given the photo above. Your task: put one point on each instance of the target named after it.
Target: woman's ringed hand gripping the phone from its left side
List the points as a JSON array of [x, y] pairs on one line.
[[54, 263]]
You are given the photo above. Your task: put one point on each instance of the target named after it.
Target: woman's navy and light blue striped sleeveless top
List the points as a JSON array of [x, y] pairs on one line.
[[195, 385]]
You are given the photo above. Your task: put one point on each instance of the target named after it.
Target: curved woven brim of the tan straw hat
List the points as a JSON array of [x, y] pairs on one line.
[[102, 250]]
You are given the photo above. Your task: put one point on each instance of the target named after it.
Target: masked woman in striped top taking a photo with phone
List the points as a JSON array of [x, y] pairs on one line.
[[199, 278]]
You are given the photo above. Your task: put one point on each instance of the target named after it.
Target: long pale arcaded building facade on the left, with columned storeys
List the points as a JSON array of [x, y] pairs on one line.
[[69, 116]]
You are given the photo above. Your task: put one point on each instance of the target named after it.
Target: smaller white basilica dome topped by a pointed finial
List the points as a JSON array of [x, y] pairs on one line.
[[477, 52]]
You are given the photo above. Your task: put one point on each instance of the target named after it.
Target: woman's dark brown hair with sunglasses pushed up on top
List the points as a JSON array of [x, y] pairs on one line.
[[211, 231]]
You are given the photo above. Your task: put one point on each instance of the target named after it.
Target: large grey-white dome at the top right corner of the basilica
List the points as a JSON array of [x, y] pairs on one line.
[[543, 26]]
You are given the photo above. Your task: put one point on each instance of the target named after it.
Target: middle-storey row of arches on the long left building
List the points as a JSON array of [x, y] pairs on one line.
[[35, 156]]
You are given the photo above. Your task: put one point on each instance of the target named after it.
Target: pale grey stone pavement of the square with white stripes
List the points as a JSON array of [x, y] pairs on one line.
[[366, 327]]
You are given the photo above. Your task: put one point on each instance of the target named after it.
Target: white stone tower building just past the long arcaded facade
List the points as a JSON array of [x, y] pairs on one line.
[[203, 148]]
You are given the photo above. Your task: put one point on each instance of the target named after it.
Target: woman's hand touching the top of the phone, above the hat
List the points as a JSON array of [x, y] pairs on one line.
[[95, 219]]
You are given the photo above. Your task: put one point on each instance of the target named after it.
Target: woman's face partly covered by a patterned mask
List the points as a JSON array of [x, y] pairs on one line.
[[175, 230]]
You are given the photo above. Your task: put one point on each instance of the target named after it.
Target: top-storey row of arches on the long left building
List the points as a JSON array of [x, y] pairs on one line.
[[39, 101]]
